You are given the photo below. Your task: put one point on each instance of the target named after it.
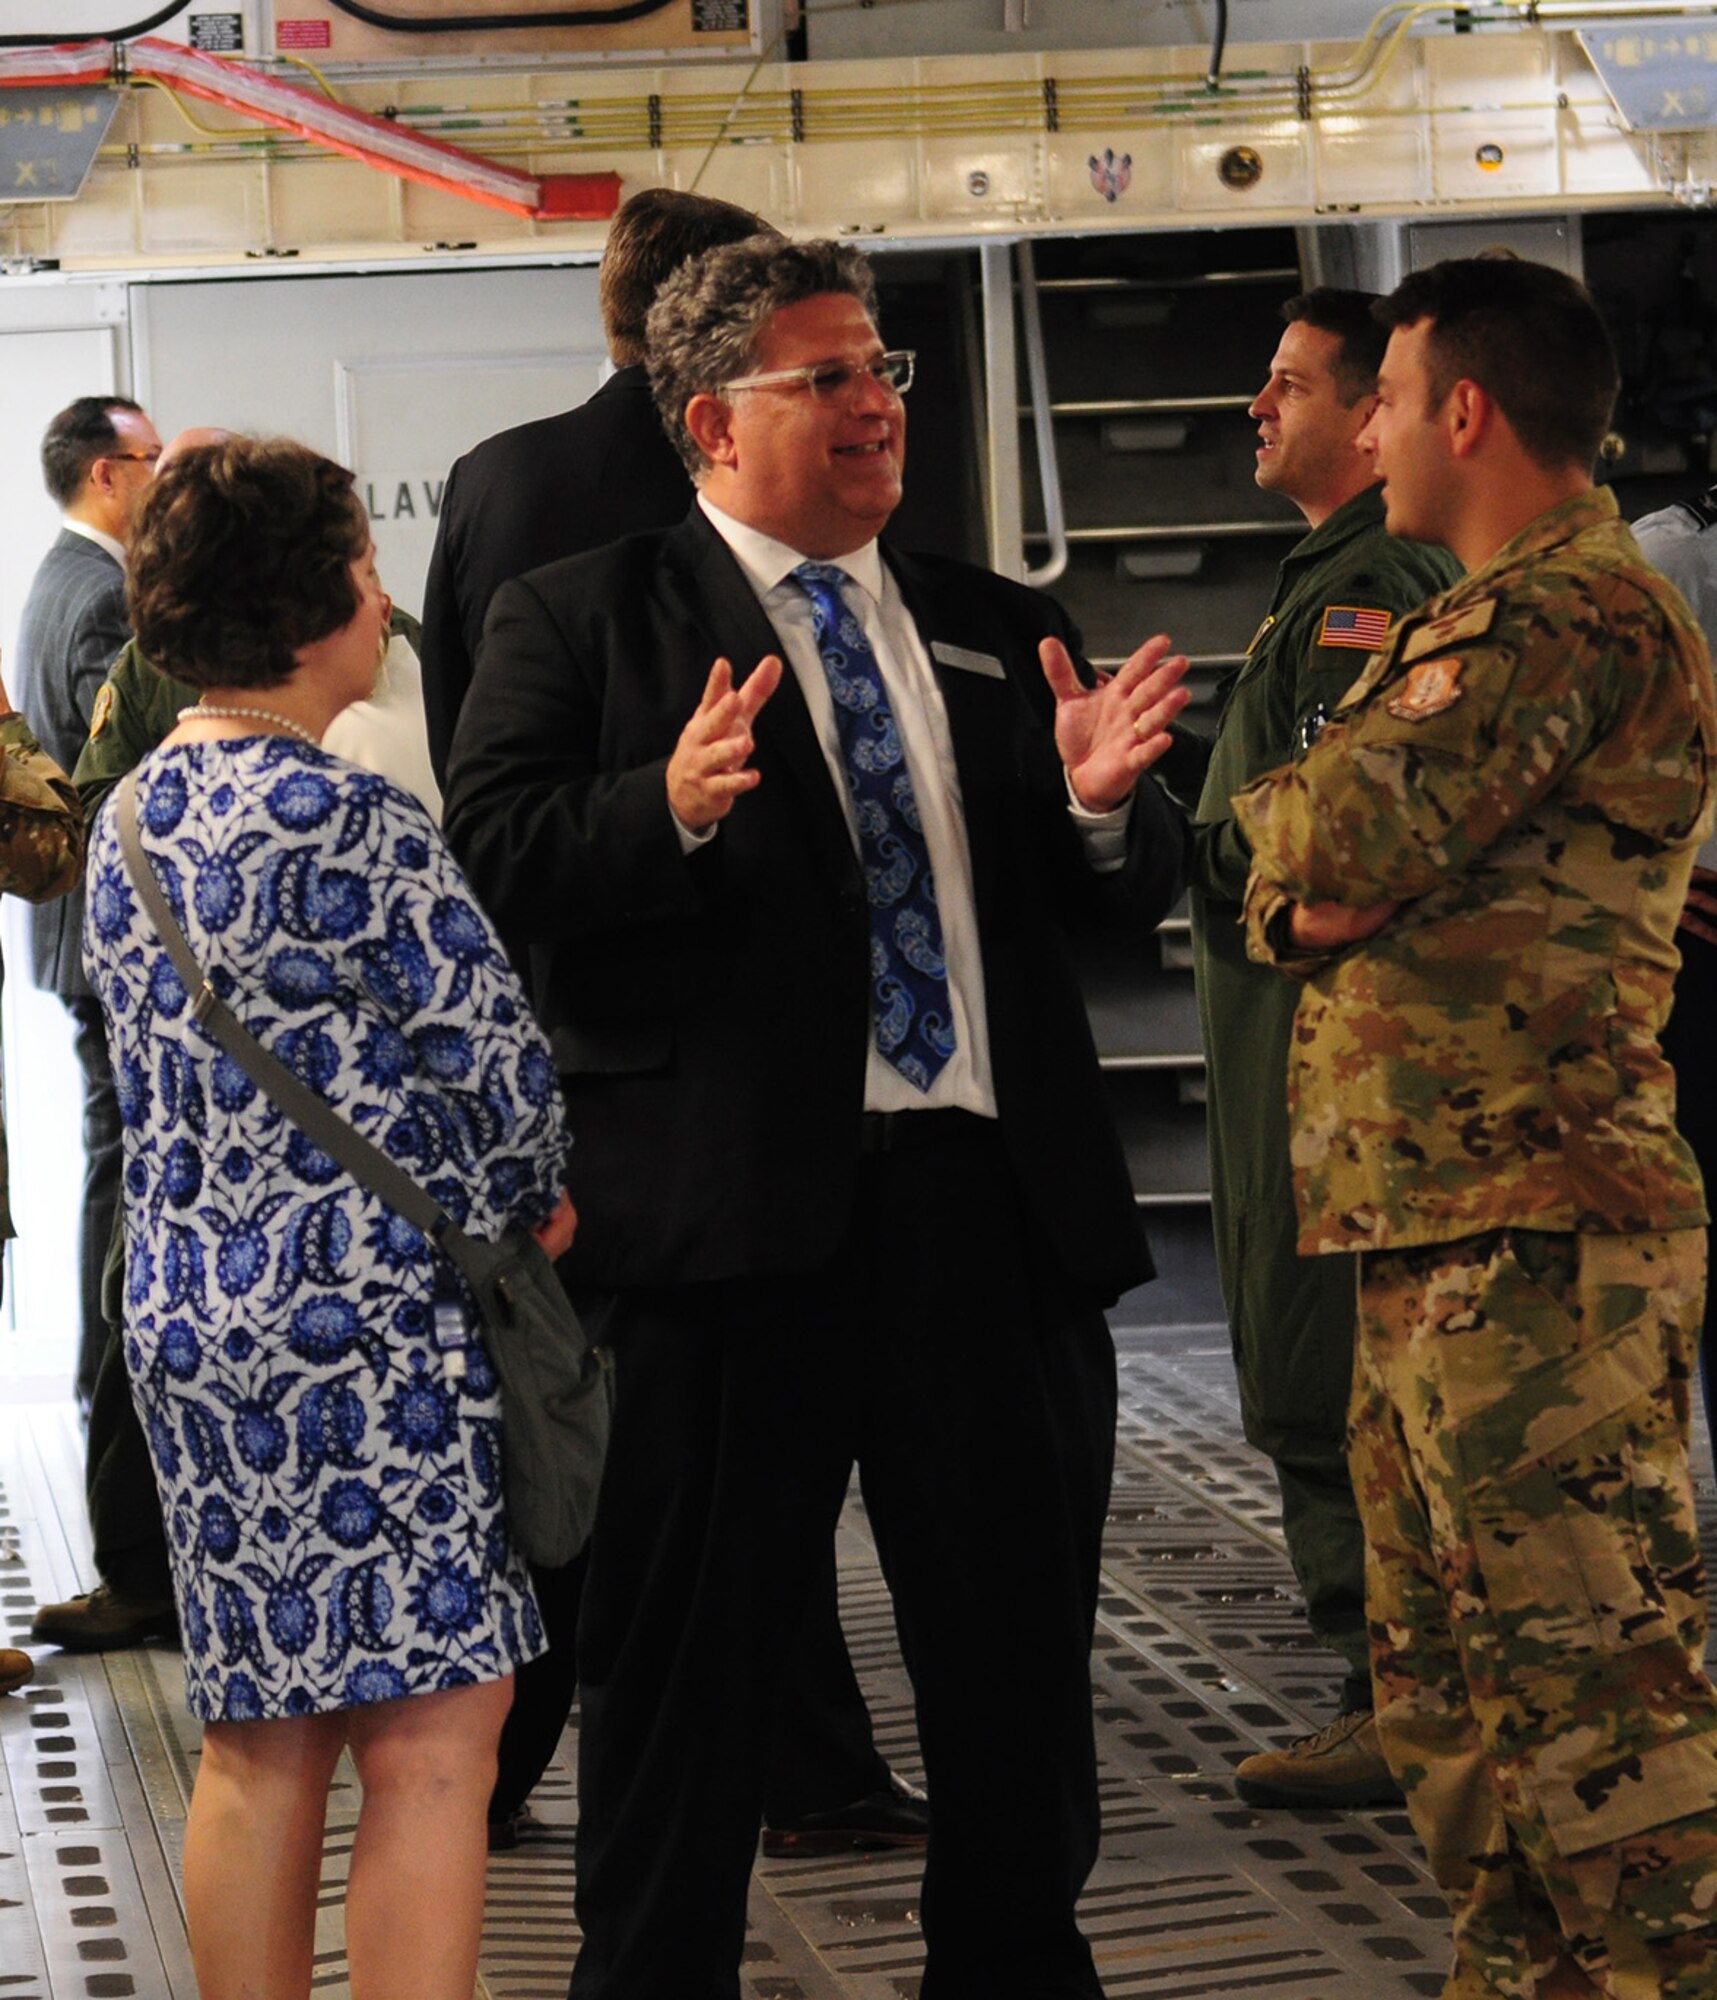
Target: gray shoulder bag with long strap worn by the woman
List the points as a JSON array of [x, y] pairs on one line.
[[553, 1383]]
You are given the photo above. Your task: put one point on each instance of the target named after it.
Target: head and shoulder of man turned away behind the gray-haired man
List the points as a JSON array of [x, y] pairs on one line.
[[575, 481]]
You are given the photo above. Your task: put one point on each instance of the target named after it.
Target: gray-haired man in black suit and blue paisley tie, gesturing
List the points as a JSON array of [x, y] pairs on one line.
[[843, 1159]]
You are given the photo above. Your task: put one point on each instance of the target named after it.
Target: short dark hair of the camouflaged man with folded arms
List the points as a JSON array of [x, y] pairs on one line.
[[1530, 337]]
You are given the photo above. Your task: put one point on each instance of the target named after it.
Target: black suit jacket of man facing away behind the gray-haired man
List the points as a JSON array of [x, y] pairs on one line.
[[529, 497]]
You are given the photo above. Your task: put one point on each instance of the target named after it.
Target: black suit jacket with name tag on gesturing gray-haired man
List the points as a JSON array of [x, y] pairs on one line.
[[709, 1013]]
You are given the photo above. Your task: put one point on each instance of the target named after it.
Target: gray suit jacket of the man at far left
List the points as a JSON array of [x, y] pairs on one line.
[[73, 629]]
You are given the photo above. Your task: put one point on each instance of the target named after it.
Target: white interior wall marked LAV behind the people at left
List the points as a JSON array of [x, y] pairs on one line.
[[391, 373]]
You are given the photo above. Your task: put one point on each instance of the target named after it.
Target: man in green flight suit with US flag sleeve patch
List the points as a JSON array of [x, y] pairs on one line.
[[1292, 1317]]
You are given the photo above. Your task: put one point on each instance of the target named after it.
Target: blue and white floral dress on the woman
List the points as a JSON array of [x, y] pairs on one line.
[[331, 1485]]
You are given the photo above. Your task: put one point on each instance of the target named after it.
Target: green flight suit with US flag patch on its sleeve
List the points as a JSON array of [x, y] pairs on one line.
[[1290, 1317]]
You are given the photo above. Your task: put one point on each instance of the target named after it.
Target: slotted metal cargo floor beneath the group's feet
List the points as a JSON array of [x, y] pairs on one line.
[[1202, 1657]]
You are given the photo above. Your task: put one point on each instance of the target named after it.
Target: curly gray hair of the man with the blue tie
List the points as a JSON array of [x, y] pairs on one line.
[[705, 325]]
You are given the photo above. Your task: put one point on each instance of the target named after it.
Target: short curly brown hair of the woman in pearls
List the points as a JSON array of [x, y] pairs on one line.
[[243, 555]]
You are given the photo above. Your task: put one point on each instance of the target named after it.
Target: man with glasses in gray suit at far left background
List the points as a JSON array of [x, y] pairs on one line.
[[99, 455]]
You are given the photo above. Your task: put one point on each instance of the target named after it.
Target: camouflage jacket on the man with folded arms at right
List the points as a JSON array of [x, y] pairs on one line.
[[1528, 769]]
